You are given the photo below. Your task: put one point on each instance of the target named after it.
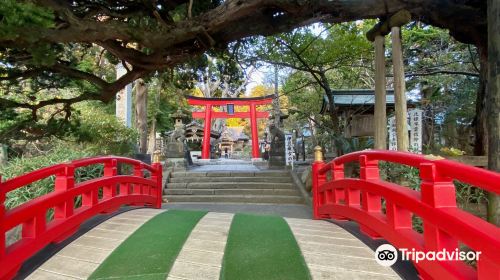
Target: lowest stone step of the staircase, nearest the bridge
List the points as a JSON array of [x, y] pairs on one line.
[[274, 199]]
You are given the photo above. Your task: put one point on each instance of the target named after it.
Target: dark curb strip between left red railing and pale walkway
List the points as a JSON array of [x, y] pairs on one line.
[[33, 263]]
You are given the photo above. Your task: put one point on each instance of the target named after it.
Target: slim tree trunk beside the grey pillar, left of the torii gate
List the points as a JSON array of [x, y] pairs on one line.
[[141, 114]]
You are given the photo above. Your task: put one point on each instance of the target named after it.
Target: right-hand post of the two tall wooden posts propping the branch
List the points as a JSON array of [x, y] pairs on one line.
[[399, 90]]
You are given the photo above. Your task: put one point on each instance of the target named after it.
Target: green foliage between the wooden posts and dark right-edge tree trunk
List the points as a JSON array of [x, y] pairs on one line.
[[450, 100]]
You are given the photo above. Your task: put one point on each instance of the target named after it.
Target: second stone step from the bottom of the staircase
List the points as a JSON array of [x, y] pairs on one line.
[[284, 192]]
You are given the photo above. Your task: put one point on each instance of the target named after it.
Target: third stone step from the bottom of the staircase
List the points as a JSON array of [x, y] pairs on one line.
[[230, 185]]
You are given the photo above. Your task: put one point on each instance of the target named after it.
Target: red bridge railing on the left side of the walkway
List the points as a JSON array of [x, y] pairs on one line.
[[100, 195]]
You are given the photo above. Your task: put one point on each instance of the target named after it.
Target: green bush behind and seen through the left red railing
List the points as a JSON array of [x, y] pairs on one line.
[[22, 165]]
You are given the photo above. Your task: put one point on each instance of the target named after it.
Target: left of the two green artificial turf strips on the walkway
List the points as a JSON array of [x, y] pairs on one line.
[[151, 250]]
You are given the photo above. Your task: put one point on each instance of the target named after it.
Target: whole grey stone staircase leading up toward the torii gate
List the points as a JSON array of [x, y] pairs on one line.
[[274, 187]]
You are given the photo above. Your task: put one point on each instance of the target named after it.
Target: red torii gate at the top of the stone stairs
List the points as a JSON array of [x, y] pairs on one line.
[[253, 115]]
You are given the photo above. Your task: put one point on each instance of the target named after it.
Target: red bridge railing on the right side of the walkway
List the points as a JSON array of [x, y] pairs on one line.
[[445, 226]]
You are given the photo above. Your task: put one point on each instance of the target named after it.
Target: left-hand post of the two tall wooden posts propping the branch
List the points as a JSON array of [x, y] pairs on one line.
[[380, 94]]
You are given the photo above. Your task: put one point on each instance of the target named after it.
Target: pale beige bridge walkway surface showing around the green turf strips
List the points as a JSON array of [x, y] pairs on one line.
[[330, 252]]
